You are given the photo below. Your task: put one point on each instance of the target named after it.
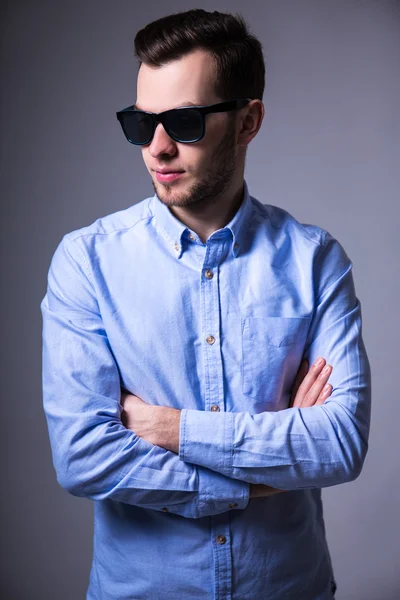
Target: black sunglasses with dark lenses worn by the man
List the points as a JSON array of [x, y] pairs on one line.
[[185, 124]]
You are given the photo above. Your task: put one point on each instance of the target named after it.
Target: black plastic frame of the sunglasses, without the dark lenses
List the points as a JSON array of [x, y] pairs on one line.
[[163, 116]]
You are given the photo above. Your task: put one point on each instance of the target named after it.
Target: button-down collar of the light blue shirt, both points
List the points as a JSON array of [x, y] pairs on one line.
[[179, 235]]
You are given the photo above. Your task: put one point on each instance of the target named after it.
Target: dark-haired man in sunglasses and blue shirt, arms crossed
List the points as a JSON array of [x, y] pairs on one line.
[[177, 340]]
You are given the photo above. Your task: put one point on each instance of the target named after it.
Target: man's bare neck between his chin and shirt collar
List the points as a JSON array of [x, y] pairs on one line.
[[205, 218]]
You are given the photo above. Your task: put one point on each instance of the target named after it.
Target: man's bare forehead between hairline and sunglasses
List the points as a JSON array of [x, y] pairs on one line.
[[188, 80]]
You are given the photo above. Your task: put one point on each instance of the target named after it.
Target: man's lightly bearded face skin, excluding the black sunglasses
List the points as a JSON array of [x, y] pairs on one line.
[[209, 165]]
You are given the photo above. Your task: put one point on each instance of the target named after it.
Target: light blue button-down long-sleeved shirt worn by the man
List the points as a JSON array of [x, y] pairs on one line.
[[218, 330]]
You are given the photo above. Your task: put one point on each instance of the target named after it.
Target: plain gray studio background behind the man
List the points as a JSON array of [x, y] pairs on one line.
[[328, 151]]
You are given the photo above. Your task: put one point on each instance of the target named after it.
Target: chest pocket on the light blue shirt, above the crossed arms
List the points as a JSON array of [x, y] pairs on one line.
[[272, 349]]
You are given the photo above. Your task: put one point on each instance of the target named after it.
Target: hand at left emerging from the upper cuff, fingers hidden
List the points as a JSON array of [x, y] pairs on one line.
[[158, 425]]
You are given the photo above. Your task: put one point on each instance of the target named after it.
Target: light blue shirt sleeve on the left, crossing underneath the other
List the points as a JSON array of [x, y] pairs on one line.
[[94, 455]]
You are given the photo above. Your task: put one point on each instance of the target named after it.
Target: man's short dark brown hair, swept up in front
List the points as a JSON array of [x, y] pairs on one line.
[[238, 56]]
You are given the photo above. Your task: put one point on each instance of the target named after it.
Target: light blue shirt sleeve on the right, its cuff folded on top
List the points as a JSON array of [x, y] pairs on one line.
[[299, 448]]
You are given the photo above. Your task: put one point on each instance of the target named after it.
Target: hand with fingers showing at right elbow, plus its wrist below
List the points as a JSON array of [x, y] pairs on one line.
[[310, 388]]
